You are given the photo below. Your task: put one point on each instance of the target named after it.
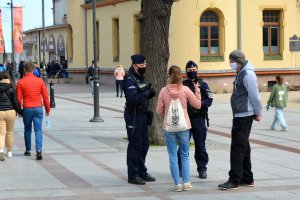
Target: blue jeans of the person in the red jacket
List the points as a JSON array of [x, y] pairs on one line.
[[33, 116]]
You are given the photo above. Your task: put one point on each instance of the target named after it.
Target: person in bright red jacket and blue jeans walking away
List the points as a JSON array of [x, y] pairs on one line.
[[32, 95]]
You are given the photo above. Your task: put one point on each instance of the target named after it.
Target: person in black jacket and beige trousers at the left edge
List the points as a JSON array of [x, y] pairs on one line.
[[8, 107]]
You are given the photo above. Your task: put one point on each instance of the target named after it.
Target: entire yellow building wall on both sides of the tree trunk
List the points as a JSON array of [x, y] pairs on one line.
[[184, 38]]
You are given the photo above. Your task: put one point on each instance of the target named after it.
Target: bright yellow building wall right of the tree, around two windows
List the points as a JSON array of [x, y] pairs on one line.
[[184, 34]]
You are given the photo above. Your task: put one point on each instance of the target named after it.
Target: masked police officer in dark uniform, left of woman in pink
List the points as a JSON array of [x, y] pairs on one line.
[[137, 118]]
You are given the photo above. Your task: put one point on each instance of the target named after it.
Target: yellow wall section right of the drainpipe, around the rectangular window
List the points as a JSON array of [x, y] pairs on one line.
[[252, 23]]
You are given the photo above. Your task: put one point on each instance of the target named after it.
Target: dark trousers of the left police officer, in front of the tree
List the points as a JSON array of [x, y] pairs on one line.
[[138, 144]]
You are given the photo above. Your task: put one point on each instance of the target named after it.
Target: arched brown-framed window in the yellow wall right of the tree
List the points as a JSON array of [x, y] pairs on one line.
[[209, 34]]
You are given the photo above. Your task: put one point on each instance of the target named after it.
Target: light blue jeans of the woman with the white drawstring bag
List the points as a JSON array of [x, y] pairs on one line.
[[183, 138]]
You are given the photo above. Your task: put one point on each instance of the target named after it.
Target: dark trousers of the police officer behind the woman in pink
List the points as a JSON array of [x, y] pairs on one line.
[[199, 132]]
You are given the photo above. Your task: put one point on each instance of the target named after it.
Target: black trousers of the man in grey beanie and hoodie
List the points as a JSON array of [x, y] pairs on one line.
[[240, 152]]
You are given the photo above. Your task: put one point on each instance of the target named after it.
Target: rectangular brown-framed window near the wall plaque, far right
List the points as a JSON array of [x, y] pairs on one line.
[[271, 32]]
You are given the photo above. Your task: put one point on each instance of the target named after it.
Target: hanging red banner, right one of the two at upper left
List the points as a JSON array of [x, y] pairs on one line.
[[18, 30]]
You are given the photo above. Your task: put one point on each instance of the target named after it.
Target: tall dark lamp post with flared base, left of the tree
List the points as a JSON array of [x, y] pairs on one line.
[[96, 117]]
